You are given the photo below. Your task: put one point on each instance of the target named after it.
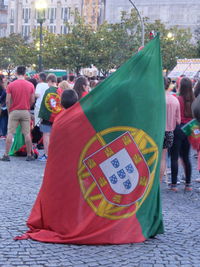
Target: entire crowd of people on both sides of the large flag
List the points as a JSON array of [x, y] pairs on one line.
[[46, 96]]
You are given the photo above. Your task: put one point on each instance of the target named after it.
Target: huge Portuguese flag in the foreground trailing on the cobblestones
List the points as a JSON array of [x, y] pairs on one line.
[[101, 183]]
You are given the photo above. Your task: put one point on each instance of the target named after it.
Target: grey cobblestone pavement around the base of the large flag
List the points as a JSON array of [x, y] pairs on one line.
[[178, 246]]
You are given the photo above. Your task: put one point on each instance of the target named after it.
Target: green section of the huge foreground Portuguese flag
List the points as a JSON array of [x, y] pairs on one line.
[[134, 97]]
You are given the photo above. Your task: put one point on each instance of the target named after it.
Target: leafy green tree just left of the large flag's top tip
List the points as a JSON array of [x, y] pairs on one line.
[[115, 43]]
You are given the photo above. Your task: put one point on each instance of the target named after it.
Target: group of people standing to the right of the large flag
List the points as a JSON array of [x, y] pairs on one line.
[[179, 112]]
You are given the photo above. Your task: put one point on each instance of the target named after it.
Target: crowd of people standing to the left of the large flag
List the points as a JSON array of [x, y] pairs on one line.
[[33, 103]]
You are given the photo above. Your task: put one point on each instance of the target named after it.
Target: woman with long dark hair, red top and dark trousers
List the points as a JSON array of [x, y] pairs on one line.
[[181, 145]]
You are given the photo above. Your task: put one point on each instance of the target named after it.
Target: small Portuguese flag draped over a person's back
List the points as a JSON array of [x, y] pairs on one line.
[[50, 106]]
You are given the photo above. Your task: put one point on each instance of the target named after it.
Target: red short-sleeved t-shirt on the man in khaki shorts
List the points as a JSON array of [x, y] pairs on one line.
[[21, 91]]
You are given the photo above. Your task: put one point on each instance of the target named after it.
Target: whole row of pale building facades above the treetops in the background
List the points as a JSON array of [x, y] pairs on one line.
[[22, 15]]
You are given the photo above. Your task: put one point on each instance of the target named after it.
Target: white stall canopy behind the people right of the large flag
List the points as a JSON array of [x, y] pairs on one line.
[[187, 67]]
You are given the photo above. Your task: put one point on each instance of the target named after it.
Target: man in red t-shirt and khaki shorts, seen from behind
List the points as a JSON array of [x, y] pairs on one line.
[[19, 99]]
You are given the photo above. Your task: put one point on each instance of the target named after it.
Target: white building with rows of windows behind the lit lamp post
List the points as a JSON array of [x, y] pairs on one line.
[[22, 16]]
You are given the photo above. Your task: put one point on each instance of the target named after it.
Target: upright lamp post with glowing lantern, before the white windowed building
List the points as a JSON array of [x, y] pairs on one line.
[[40, 6]]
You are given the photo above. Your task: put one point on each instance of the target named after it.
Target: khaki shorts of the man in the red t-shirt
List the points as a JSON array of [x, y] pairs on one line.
[[21, 117]]
